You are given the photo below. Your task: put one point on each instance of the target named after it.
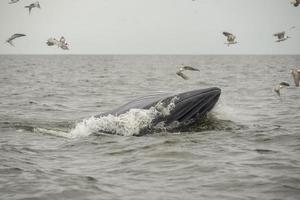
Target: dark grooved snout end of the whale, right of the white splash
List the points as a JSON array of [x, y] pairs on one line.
[[192, 106]]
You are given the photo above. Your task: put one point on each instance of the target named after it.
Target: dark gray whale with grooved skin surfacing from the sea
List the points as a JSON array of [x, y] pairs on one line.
[[187, 108]]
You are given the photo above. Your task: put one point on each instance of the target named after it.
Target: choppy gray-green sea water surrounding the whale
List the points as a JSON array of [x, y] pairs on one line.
[[50, 148]]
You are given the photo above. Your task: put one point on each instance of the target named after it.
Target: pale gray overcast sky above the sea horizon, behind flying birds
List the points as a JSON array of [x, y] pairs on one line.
[[151, 26]]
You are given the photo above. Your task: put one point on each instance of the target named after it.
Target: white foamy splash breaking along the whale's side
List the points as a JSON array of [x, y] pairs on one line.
[[130, 123]]
